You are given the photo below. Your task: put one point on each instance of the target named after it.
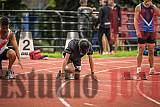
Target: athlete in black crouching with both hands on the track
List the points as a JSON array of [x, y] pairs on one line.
[[72, 58]]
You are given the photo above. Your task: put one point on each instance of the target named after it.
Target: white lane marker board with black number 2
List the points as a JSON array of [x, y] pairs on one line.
[[25, 44]]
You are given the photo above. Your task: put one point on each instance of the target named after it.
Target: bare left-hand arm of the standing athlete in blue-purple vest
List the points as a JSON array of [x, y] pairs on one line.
[[136, 20]]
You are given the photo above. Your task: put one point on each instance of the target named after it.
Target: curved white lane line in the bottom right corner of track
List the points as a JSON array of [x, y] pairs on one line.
[[144, 95]]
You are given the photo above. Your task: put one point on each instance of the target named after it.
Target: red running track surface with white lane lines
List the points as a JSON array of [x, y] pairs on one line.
[[36, 85]]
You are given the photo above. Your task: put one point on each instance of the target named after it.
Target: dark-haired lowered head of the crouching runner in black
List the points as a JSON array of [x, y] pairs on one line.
[[84, 46]]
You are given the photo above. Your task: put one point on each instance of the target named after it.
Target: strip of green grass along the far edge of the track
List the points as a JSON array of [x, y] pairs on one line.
[[97, 55]]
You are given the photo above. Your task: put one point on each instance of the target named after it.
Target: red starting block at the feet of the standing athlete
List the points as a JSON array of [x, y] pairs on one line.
[[140, 76]]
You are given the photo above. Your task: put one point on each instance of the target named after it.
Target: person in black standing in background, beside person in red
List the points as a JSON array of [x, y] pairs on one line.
[[105, 15]]
